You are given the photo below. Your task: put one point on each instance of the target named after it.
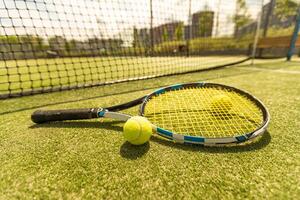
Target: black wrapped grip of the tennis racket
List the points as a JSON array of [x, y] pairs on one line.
[[41, 116]]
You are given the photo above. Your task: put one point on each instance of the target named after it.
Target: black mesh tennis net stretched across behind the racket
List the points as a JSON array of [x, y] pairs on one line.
[[50, 45]]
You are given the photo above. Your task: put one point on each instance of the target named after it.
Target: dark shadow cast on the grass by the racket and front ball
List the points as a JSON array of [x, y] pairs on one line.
[[133, 152]]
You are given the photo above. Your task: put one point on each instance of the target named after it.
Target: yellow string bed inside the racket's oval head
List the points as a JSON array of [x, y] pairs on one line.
[[190, 111]]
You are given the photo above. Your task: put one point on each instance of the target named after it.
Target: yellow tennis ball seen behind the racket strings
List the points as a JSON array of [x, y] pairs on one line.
[[221, 103]]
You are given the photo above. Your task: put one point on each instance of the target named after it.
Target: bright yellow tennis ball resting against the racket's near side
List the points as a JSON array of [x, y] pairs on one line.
[[137, 130]]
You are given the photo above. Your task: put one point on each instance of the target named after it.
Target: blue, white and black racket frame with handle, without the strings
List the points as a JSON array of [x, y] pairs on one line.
[[41, 116]]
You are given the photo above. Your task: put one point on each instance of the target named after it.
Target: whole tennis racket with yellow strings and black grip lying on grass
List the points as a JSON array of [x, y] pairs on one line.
[[186, 113]]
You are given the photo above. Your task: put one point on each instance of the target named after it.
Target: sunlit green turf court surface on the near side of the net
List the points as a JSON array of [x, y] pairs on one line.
[[90, 160]]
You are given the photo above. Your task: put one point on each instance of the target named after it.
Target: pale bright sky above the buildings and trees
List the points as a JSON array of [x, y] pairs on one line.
[[82, 19]]
